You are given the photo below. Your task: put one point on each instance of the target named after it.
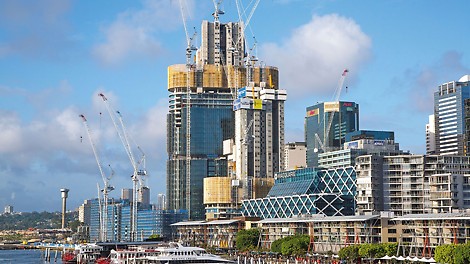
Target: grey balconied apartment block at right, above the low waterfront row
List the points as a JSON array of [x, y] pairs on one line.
[[412, 184]]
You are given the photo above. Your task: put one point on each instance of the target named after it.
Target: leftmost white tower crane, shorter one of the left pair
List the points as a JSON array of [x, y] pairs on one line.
[[107, 188]]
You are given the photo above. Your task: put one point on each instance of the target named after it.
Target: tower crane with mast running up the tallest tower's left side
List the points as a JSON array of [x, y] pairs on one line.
[[189, 49]]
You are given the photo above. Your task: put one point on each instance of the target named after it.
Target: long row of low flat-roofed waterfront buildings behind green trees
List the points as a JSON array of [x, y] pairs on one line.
[[416, 235]]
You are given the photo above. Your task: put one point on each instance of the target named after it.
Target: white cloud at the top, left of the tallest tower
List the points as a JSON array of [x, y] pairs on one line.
[[136, 33]]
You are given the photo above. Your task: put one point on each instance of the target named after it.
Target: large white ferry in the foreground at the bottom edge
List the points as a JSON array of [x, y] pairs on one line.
[[172, 253]]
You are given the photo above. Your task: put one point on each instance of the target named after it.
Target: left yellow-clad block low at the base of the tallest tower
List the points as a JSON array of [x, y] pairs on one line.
[[217, 190]]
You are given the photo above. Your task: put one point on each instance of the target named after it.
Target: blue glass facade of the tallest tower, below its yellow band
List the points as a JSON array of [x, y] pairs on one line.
[[211, 122]]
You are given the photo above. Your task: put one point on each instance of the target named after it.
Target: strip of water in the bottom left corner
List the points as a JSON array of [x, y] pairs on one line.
[[26, 257]]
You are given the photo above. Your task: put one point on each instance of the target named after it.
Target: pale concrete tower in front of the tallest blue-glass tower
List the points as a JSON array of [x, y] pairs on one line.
[[259, 135]]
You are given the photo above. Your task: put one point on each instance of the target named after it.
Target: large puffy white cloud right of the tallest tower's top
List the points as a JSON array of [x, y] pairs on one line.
[[312, 59]]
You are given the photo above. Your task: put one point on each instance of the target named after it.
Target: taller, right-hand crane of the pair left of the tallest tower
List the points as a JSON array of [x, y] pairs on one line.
[[137, 173]]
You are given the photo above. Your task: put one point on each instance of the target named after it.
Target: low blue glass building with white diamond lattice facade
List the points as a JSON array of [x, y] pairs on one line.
[[307, 191]]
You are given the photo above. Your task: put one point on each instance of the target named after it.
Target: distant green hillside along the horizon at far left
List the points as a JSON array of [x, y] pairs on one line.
[[43, 220]]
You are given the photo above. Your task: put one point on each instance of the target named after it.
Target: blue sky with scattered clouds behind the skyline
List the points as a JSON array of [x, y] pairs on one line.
[[57, 55]]
